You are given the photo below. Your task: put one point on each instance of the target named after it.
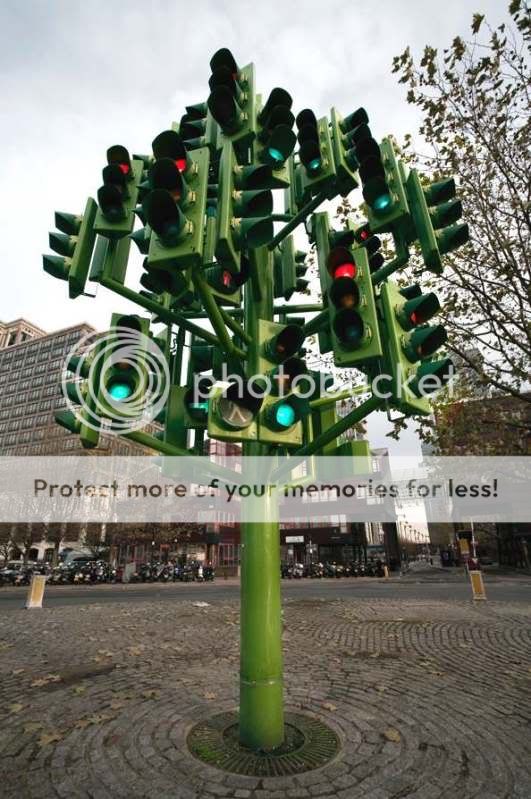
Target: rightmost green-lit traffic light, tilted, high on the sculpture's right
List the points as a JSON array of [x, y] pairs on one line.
[[379, 171]]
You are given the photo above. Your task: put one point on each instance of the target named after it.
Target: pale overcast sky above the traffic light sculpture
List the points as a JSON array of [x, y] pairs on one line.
[[78, 77]]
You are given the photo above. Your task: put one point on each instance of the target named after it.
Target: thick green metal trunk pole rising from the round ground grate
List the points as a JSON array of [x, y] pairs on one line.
[[261, 676]]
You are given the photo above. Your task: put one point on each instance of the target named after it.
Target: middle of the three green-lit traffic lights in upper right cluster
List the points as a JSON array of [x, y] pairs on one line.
[[316, 168]]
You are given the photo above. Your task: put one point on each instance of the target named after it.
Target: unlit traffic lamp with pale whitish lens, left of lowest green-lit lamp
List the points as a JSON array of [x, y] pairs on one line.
[[233, 410]]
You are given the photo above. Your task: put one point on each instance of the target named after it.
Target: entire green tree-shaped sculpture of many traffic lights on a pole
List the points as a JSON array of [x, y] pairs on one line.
[[200, 210]]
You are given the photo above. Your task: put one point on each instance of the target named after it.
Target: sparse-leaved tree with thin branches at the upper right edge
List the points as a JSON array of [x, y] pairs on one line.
[[474, 98]]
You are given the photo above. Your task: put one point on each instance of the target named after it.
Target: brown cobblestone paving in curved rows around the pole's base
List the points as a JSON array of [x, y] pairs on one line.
[[429, 698]]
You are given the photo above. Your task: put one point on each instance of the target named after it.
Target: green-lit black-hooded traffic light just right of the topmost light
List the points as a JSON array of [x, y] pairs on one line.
[[275, 137]]
